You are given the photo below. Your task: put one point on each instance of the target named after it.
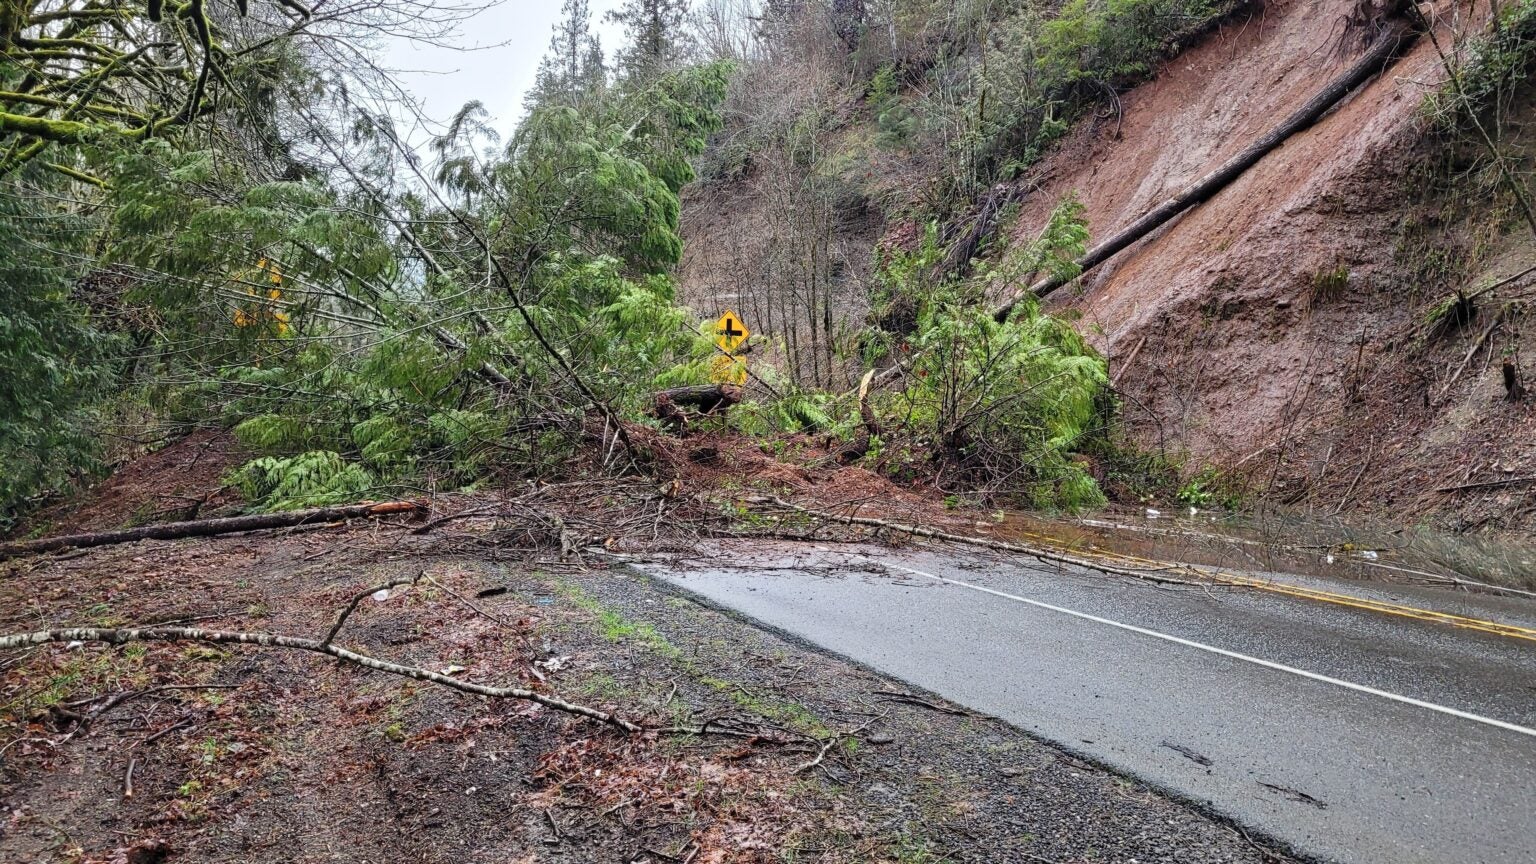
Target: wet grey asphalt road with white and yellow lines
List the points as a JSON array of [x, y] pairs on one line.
[[1348, 734]]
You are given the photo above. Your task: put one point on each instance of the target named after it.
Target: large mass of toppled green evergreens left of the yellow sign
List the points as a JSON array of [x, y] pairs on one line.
[[405, 361]]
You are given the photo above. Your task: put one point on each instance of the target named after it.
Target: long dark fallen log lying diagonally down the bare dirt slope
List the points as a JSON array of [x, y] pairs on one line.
[[1394, 42]]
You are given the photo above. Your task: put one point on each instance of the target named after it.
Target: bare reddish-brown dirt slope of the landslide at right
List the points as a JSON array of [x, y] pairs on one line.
[[1270, 330]]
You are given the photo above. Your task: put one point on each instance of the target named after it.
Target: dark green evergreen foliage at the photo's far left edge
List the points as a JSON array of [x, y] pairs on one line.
[[55, 361]]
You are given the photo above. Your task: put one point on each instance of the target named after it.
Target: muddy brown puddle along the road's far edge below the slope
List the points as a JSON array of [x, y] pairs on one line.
[[1276, 540]]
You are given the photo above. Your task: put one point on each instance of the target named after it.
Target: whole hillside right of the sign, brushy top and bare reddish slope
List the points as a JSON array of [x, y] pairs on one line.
[[1279, 342]]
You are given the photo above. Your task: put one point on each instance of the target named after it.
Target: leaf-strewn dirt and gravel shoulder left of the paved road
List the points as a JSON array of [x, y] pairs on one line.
[[299, 759]]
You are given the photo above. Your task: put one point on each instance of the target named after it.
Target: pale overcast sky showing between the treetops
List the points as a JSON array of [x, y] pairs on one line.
[[502, 52]]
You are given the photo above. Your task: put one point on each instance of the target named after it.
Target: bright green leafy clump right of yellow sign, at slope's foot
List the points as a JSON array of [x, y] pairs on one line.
[[999, 407]]
